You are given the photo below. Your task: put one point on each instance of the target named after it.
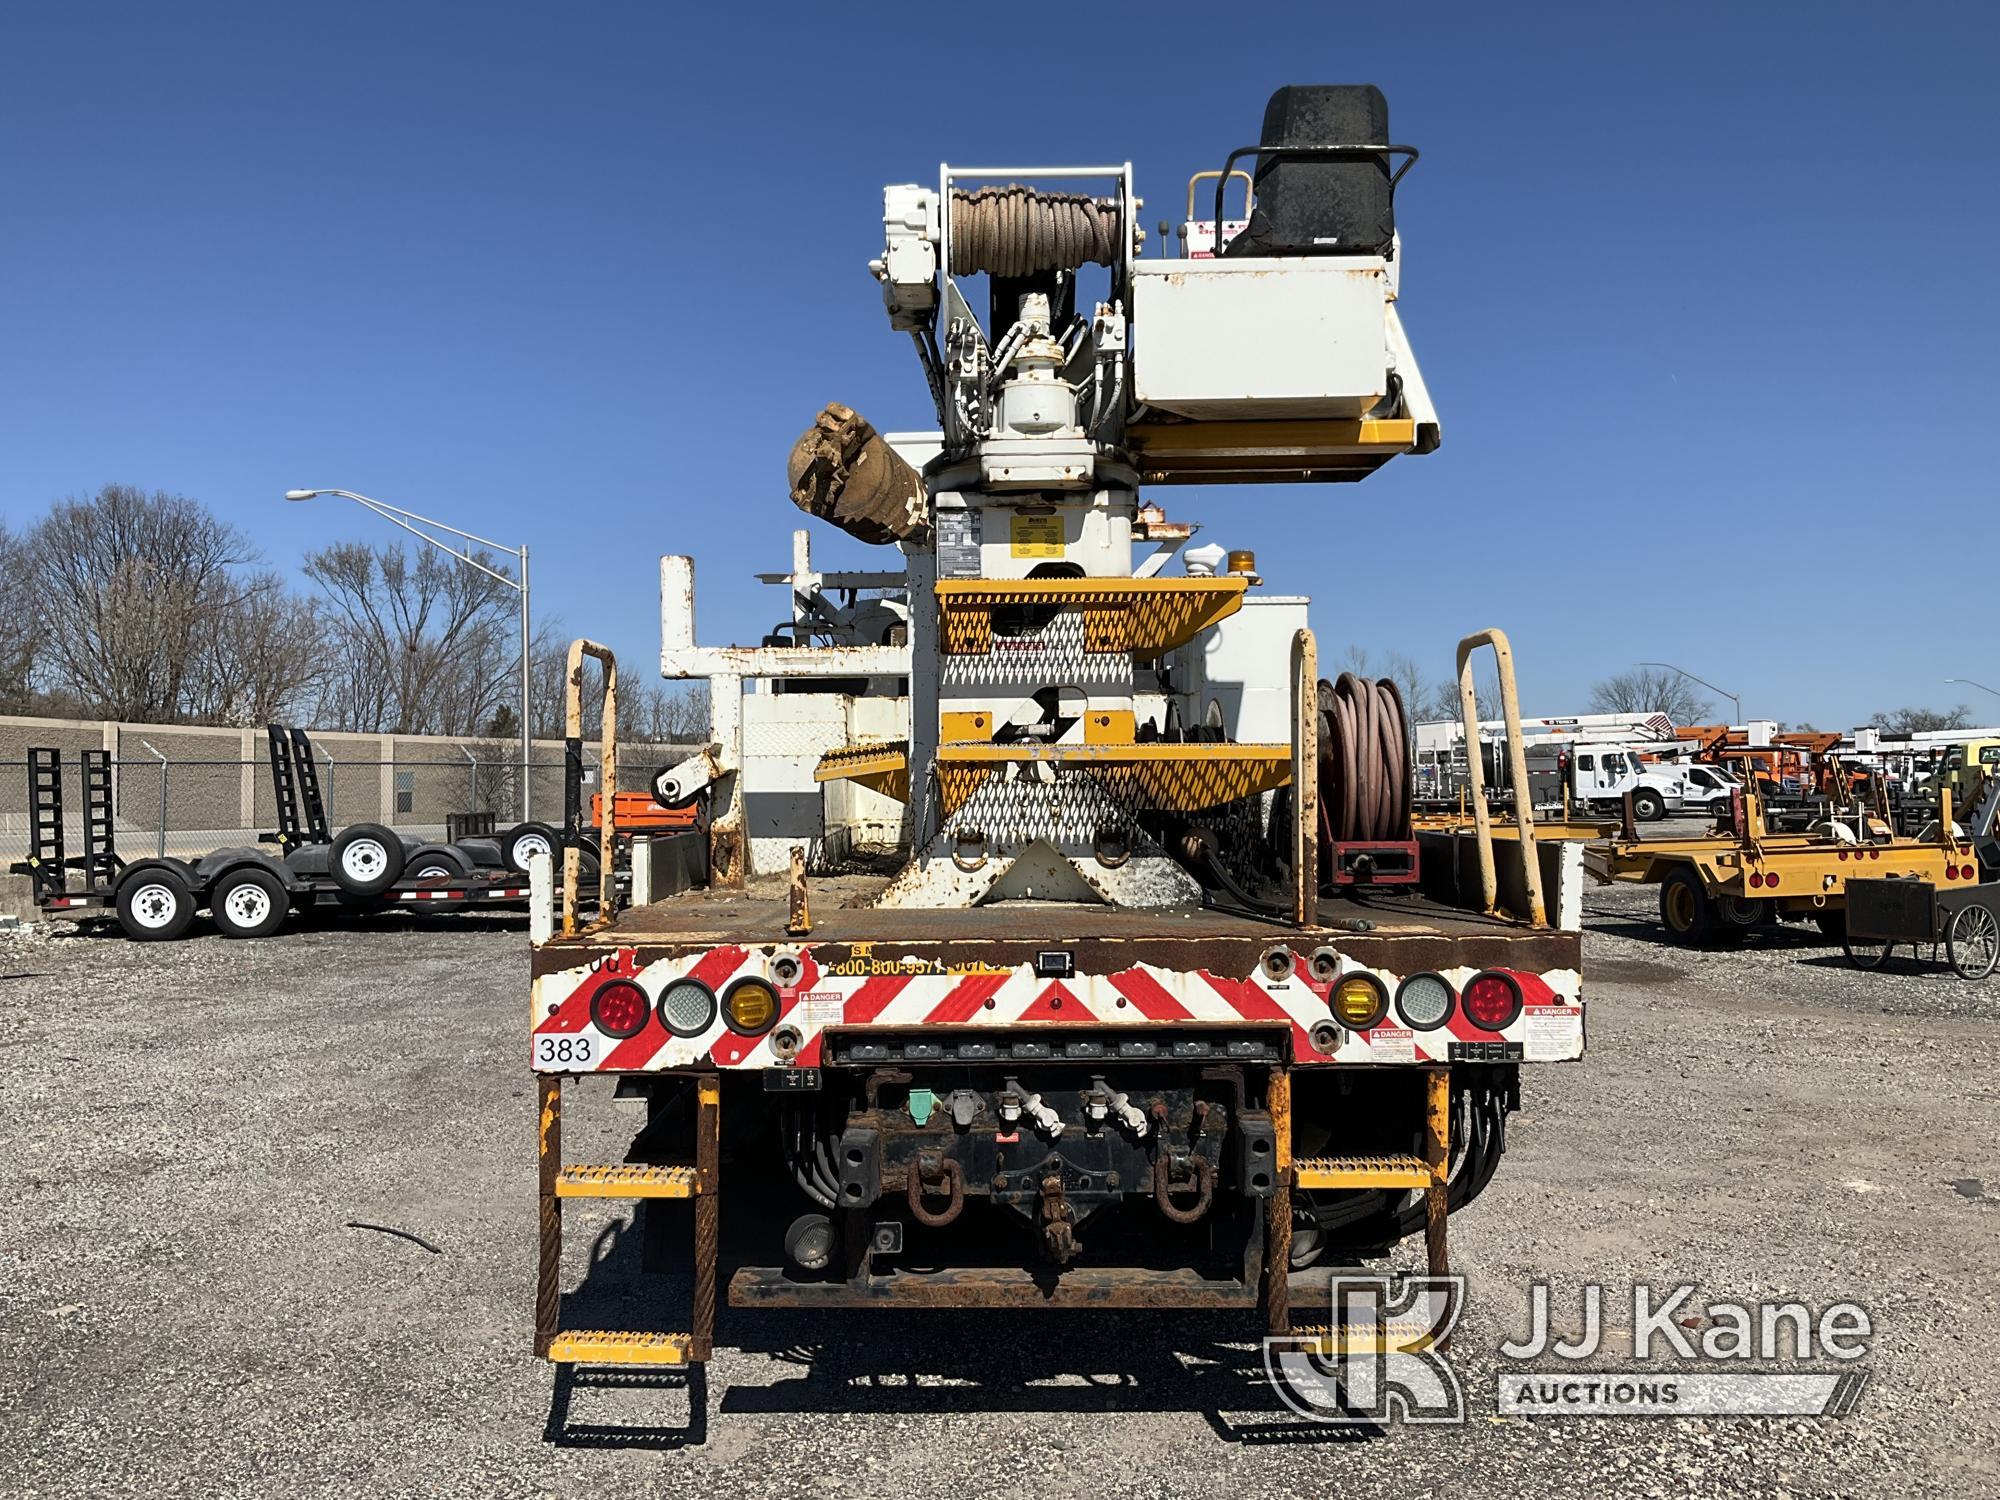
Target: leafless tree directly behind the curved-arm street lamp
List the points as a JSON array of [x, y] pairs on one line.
[[415, 645]]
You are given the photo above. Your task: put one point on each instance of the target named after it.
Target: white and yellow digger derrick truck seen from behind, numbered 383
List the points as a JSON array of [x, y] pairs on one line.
[[1153, 997]]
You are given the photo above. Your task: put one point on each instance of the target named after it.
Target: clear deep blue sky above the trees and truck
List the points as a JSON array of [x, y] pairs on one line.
[[1705, 297]]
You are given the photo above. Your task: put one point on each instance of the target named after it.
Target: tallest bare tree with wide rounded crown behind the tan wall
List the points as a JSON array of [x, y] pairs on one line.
[[129, 591]]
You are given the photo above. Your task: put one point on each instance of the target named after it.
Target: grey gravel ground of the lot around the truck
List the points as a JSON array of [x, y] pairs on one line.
[[191, 1131]]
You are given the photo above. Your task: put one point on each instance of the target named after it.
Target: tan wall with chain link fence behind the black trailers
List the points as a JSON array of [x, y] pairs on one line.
[[189, 807]]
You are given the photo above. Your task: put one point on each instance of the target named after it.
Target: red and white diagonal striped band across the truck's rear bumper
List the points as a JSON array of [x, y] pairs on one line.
[[893, 993]]
